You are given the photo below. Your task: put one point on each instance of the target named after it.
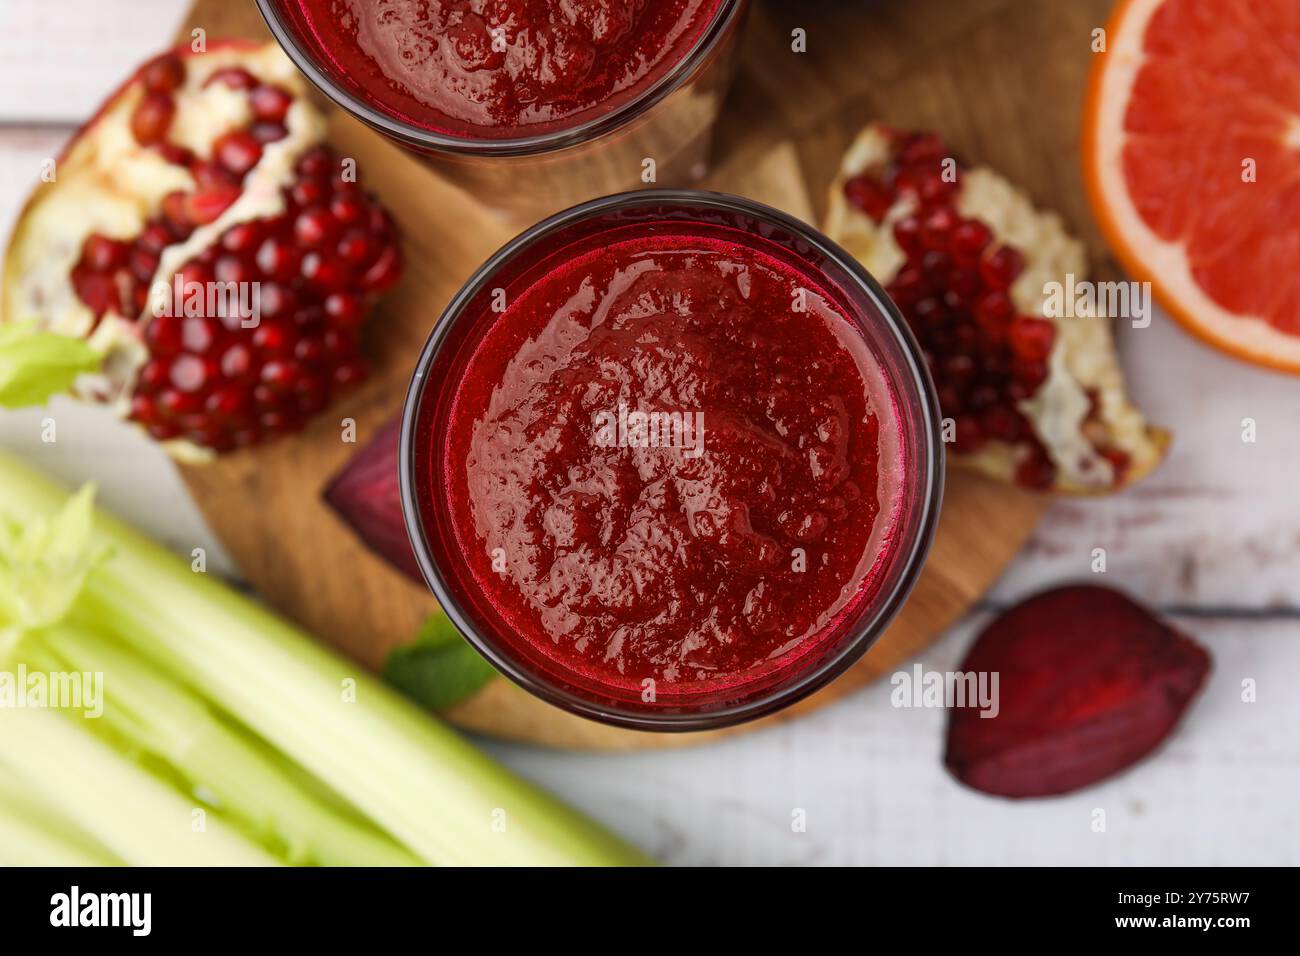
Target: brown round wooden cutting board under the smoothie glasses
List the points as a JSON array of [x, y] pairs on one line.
[[774, 146]]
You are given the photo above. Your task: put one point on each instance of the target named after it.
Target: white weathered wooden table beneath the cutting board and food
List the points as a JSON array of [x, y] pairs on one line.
[[1214, 540]]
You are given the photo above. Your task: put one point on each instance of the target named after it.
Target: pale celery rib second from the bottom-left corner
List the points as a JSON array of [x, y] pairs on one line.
[[136, 816]]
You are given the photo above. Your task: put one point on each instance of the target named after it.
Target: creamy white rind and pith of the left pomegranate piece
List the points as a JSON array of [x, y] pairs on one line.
[[106, 183]]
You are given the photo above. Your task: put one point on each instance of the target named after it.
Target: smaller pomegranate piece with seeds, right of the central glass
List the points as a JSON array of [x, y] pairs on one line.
[[1028, 399]]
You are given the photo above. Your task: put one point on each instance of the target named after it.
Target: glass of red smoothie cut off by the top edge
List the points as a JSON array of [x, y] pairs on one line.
[[530, 105]]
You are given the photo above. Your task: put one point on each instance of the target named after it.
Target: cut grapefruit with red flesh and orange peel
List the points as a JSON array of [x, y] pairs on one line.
[[1191, 154]]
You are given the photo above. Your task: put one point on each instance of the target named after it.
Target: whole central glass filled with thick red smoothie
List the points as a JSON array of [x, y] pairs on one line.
[[671, 461]]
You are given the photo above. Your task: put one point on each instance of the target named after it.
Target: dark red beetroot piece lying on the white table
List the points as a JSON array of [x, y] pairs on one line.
[[1089, 684]]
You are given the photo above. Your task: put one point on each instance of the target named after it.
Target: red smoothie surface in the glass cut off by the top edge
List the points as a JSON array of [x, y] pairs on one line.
[[500, 68]]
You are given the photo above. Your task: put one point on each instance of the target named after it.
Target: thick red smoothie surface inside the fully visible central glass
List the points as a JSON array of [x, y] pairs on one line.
[[679, 563]]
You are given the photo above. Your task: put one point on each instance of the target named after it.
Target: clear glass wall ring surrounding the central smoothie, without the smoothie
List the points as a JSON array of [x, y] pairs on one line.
[[547, 246]]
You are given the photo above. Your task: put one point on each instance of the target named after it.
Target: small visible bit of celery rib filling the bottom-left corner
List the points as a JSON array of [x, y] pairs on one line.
[[34, 834]]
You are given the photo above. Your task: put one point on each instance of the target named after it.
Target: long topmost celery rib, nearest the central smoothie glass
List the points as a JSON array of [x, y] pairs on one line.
[[414, 777]]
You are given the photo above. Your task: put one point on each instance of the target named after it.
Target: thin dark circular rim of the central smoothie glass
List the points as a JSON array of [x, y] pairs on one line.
[[876, 618]]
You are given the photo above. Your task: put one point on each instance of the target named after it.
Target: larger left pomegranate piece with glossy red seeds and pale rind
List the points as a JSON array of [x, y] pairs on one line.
[[224, 270]]
